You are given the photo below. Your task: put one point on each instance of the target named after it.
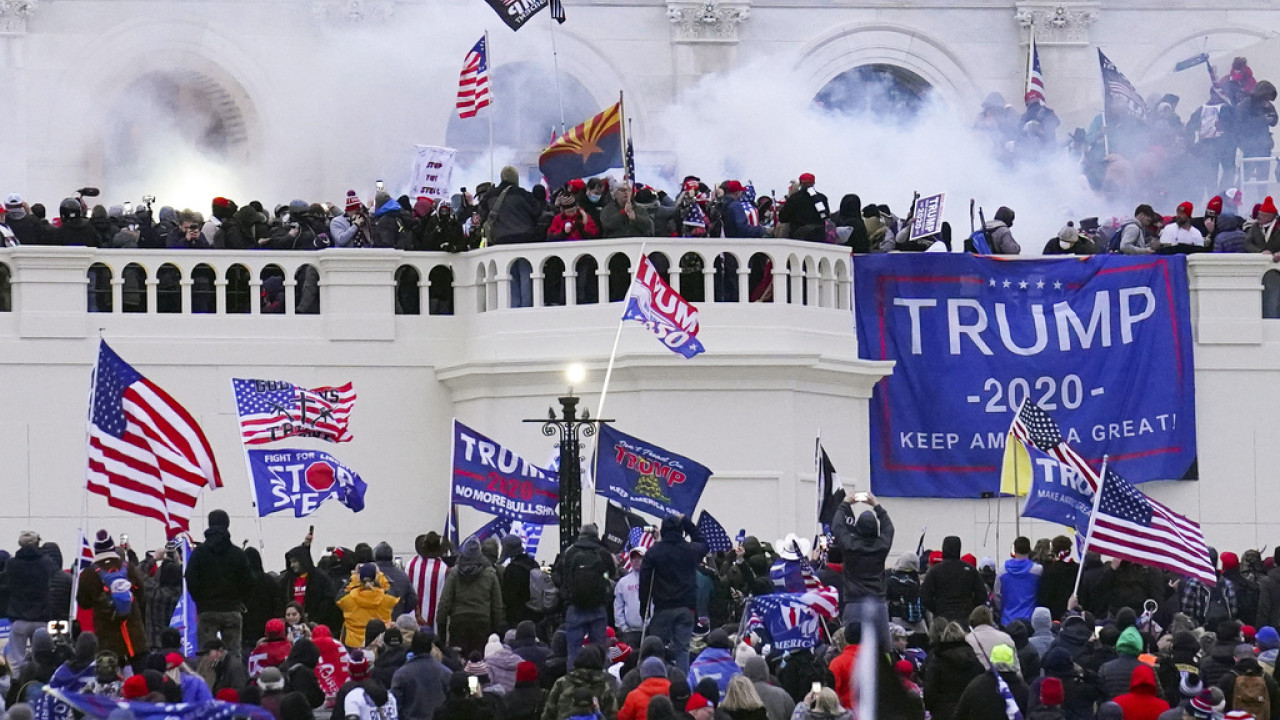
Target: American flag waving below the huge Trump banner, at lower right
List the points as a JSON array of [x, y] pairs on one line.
[[1131, 526]]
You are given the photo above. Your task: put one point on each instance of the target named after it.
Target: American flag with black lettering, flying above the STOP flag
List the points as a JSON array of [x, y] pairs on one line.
[[272, 411]]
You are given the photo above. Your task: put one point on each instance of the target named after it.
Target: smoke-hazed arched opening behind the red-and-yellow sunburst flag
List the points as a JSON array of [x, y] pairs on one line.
[[525, 113]]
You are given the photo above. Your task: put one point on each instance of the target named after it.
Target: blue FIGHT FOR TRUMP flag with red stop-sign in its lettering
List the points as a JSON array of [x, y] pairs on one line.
[[301, 481]]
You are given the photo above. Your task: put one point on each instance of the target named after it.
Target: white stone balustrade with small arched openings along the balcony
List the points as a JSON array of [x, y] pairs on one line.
[[57, 291]]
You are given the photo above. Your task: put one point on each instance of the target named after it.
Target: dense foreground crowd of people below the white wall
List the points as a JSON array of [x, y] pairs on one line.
[[657, 632]]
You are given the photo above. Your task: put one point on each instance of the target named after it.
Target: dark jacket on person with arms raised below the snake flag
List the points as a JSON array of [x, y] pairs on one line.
[[669, 576]]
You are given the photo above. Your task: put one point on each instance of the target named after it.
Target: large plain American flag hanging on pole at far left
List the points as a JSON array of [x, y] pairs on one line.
[[147, 454]]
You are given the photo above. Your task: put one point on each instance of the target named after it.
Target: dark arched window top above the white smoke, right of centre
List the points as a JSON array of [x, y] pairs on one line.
[[877, 90]]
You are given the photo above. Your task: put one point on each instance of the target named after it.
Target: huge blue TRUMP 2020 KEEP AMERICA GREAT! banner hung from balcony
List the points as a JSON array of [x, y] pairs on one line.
[[1104, 344]]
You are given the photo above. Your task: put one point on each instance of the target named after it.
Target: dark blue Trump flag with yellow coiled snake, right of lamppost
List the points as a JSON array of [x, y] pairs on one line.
[[643, 477]]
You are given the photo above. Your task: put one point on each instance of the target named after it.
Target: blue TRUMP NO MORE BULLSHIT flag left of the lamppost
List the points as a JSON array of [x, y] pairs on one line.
[[496, 481]]
